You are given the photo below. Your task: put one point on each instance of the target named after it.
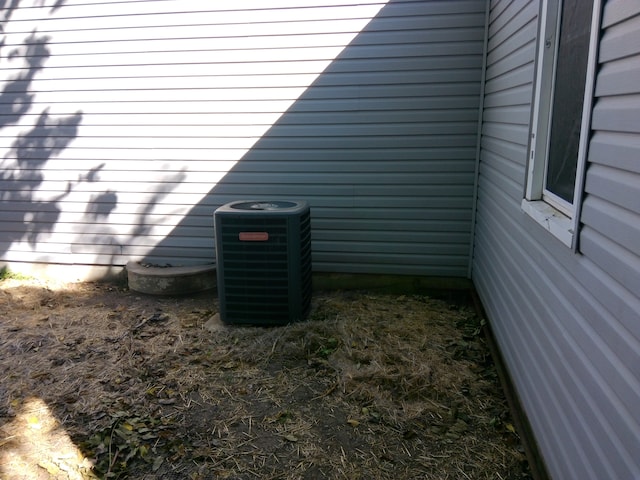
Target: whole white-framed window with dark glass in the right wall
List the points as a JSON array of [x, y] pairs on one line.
[[565, 71]]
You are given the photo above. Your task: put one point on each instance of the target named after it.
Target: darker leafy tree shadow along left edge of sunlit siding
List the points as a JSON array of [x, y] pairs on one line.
[[23, 215]]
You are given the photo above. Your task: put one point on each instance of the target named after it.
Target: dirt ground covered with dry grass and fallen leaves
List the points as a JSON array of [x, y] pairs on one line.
[[97, 381]]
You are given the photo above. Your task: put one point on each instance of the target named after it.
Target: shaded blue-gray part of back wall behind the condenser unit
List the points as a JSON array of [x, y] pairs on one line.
[[382, 145]]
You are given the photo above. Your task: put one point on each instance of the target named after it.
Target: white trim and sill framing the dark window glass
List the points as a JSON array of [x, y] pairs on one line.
[[559, 218]]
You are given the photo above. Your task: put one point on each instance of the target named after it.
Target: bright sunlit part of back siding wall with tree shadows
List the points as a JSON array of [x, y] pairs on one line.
[[118, 117]]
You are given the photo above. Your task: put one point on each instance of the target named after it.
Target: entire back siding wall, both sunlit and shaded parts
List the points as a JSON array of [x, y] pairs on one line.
[[125, 124]]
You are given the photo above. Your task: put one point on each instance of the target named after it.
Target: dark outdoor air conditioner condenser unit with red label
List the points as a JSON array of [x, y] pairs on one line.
[[263, 261]]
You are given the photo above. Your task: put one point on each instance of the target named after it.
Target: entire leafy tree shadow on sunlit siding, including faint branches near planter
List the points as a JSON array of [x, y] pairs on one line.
[[29, 212]]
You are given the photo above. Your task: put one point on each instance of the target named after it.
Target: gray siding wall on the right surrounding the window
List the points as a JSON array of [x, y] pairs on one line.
[[568, 324]]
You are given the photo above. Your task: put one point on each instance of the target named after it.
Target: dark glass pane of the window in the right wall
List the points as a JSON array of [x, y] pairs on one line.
[[566, 116]]
